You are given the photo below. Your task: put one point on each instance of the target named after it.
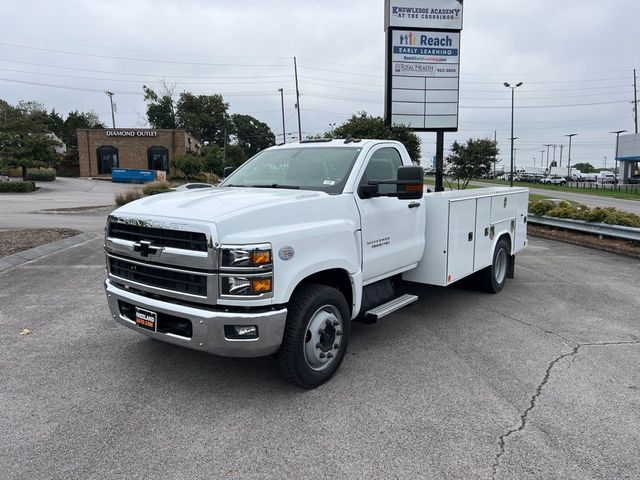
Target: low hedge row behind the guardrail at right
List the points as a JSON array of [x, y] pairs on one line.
[[572, 211]]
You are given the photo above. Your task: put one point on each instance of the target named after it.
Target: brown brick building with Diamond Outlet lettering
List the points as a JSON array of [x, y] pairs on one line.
[[101, 150]]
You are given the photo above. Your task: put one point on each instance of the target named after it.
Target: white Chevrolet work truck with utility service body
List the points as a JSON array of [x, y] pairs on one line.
[[295, 244]]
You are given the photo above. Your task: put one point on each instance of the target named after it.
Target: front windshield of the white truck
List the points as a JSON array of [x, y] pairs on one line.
[[317, 168]]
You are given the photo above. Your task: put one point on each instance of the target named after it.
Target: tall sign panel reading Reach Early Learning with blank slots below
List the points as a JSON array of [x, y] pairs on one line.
[[423, 79]]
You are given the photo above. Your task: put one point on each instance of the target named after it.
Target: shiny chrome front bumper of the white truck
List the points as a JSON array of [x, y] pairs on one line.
[[207, 326]]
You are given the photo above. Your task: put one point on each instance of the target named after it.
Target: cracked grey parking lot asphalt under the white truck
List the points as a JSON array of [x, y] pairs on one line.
[[539, 381]]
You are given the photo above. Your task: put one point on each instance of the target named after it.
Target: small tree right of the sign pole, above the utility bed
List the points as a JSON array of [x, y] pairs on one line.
[[471, 160]]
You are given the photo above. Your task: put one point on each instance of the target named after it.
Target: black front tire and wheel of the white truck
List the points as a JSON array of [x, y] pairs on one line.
[[315, 337]]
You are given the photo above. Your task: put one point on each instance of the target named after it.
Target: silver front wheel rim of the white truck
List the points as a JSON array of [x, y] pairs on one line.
[[323, 338]]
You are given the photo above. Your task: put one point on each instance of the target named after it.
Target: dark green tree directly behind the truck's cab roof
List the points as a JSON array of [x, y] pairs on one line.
[[363, 125]]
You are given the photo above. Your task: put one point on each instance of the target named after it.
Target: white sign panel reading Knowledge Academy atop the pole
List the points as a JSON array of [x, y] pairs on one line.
[[428, 14]]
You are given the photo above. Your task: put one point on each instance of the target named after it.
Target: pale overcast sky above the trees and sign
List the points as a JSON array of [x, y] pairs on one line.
[[575, 58]]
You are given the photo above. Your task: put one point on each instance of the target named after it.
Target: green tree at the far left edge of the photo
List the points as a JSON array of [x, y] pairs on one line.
[[23, 137]]
